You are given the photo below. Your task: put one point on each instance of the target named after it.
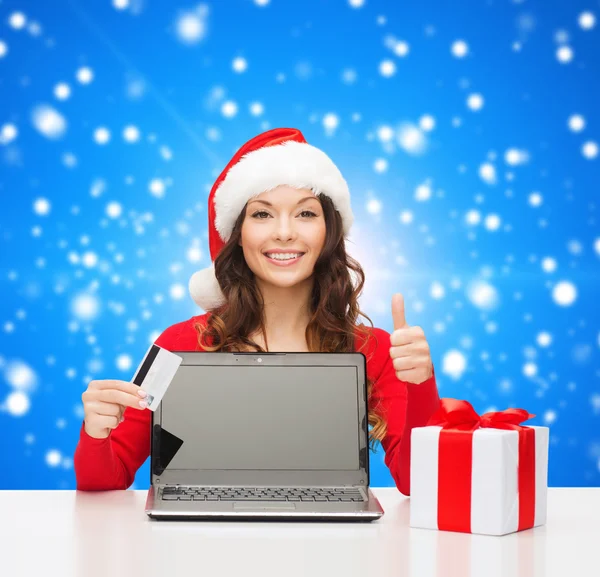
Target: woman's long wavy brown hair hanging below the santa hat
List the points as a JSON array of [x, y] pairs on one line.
[[334, 303]]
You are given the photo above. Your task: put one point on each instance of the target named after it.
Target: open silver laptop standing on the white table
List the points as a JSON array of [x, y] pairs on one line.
[[251, 436]]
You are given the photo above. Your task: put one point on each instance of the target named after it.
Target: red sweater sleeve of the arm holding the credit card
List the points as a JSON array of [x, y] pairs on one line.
[[111, 463]]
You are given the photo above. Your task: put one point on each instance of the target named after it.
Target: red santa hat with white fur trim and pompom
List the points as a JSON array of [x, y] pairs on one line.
[[277, 157]]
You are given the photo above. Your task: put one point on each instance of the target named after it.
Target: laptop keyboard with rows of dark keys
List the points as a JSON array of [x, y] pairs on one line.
[[180, 493]]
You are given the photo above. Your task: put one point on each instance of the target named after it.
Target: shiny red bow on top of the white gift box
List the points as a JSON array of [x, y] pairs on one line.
[[461, 416]]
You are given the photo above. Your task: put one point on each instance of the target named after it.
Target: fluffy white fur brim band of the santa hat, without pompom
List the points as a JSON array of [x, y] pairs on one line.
[[296, 164]]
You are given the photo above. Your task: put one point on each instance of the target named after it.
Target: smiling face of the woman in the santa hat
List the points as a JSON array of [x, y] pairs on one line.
[[282, 235]]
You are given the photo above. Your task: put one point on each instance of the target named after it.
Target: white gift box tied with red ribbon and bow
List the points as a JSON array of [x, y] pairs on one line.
[[483, 474]]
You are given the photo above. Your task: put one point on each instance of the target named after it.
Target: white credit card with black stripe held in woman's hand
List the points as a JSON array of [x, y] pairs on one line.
[[155, 373]]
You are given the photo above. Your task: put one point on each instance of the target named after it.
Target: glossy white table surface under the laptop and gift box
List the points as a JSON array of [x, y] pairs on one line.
[[108, 534]]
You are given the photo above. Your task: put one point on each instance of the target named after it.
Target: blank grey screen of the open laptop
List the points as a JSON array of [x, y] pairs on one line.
[[264, 418]]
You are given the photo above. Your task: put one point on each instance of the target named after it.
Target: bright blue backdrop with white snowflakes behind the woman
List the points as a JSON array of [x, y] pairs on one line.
[[84, 293]]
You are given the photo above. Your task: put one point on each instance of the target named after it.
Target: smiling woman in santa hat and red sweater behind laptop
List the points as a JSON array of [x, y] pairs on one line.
[[280, 281]]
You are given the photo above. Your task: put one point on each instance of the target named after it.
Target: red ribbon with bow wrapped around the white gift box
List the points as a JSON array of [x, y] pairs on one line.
[[459, 420]]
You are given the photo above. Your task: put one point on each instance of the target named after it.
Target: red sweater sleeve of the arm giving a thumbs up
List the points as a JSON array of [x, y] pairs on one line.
[[404, 406]]
